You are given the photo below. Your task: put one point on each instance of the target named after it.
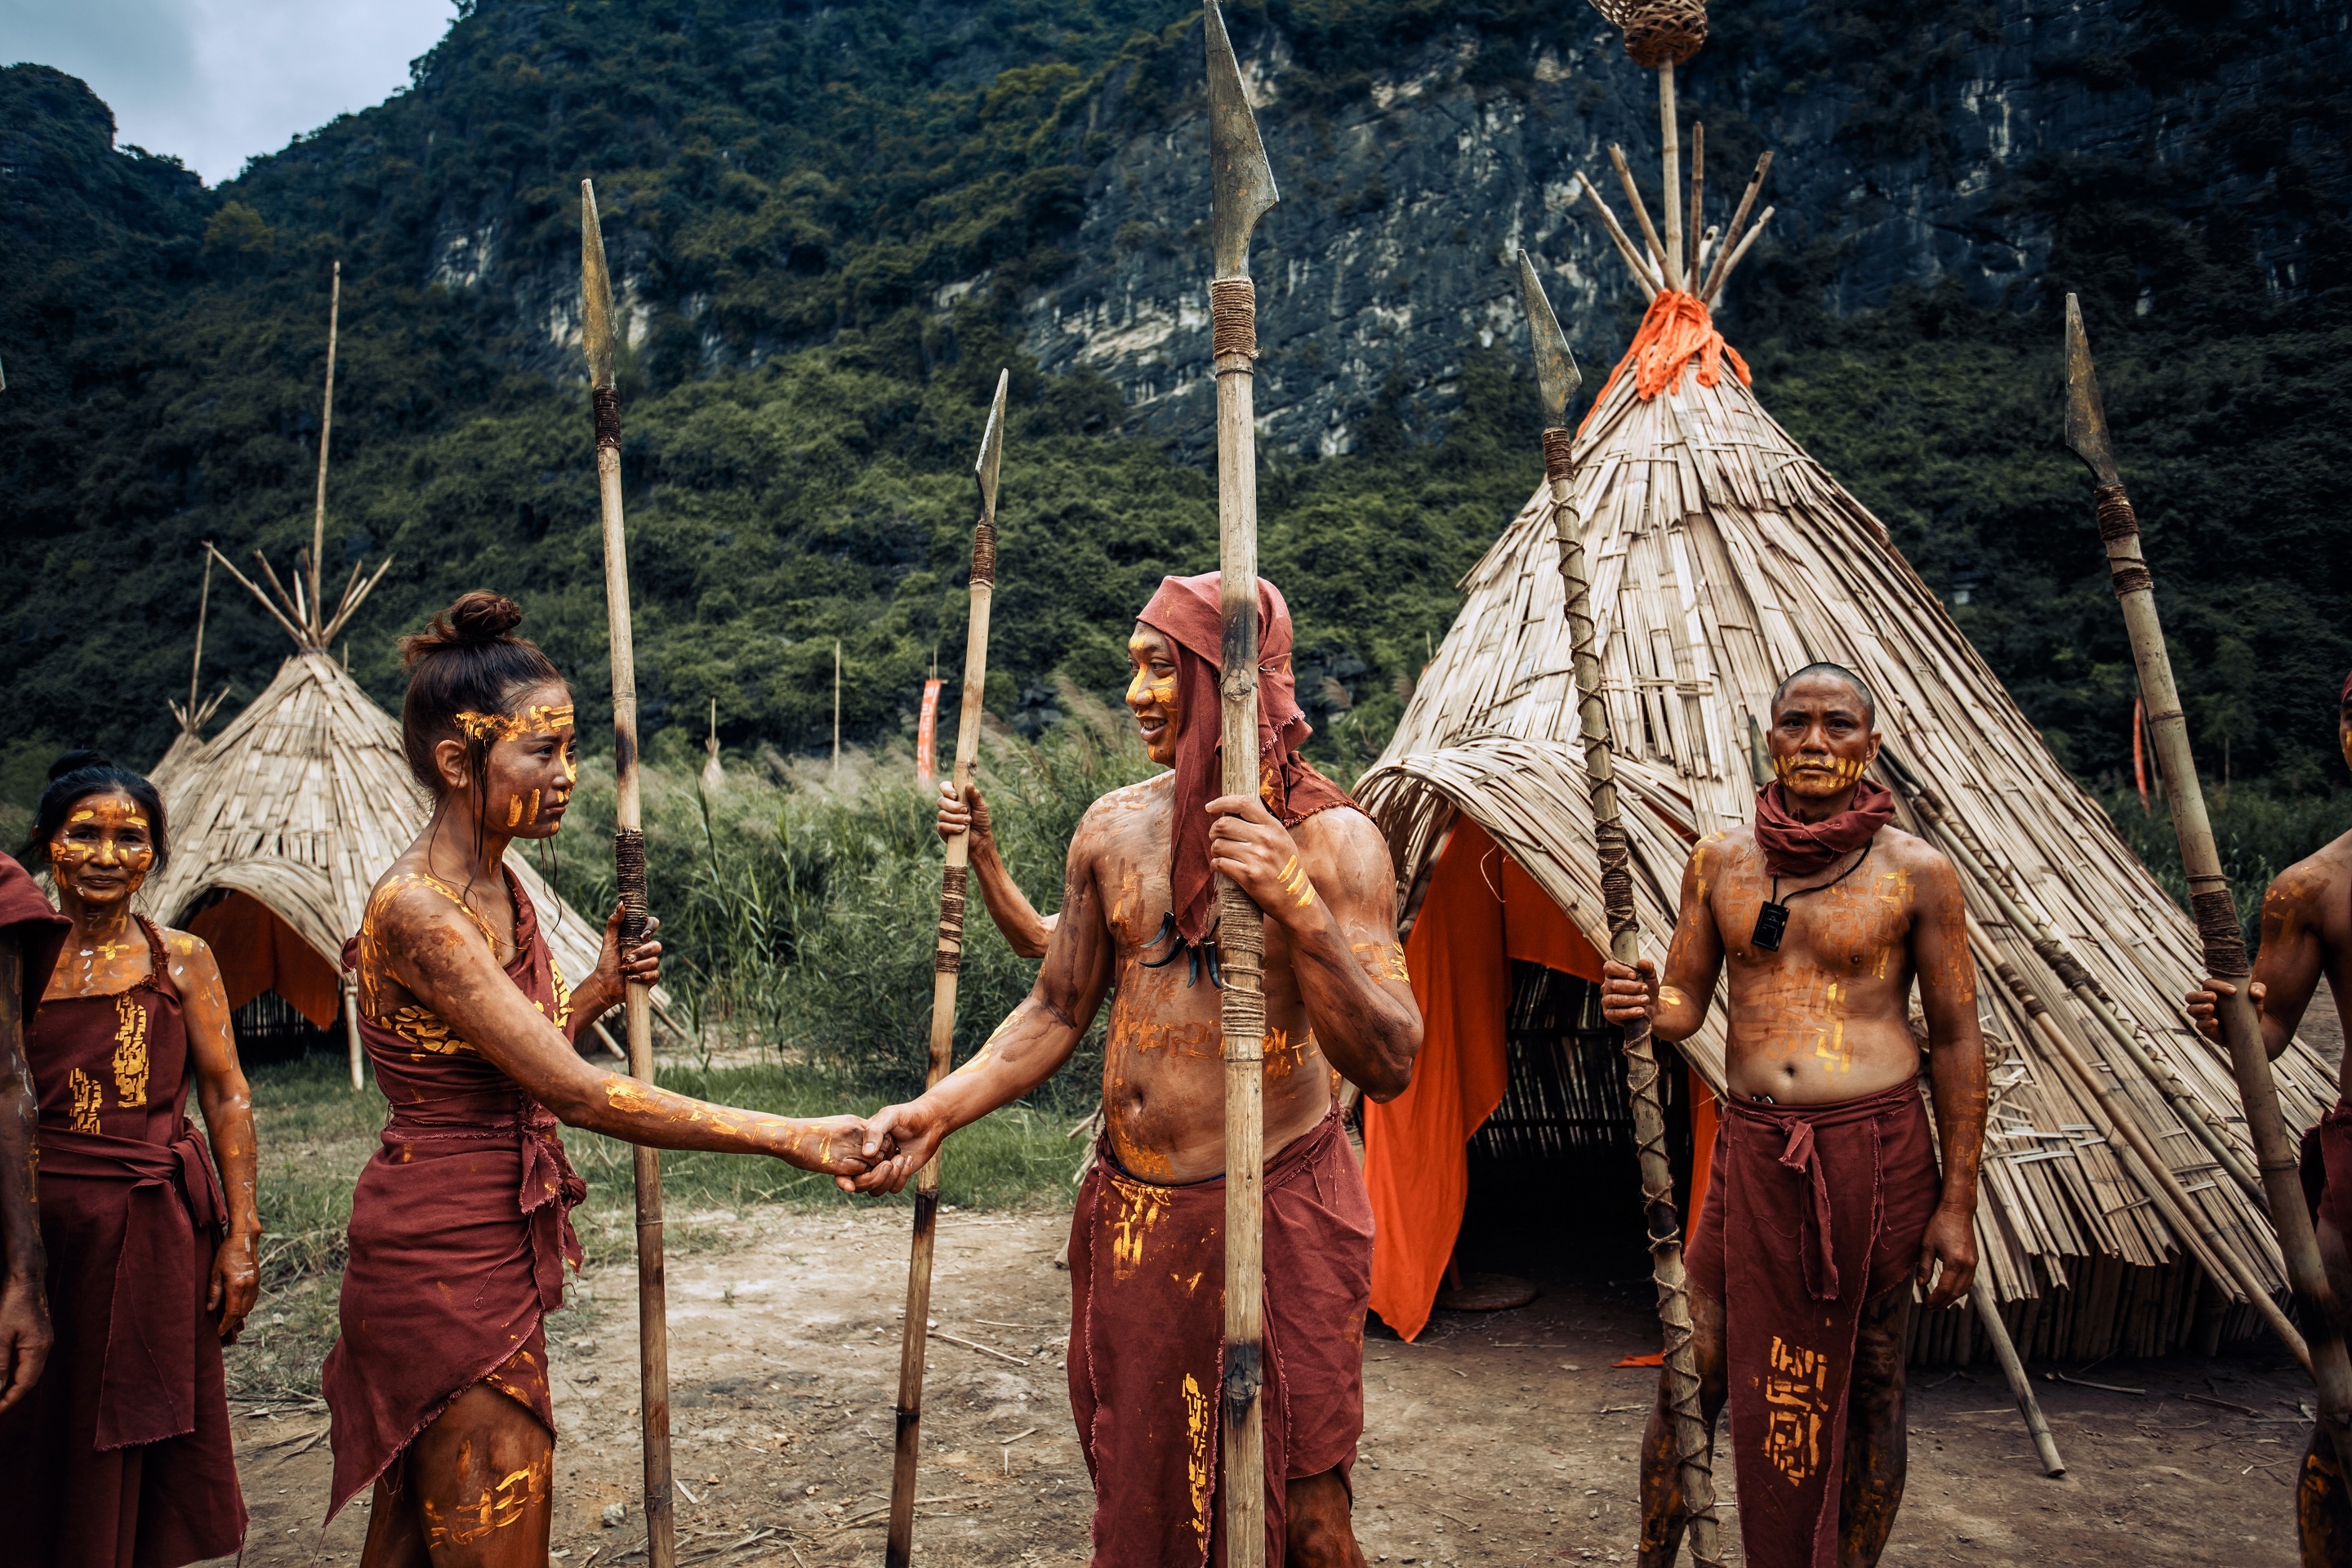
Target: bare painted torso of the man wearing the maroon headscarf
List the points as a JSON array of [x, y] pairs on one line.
[[1163, 1068]]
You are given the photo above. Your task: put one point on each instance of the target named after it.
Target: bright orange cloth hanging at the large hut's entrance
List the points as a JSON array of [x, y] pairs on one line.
[[1478, 916]]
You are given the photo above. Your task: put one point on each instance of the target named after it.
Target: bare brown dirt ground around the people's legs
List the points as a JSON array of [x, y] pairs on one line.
[[1497, 1440]]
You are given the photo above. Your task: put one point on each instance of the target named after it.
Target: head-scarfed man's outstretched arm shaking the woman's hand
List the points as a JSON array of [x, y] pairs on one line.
[[1027, 1050]]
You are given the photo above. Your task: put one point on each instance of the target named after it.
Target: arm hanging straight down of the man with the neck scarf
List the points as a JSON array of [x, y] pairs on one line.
[[1958, 1066]]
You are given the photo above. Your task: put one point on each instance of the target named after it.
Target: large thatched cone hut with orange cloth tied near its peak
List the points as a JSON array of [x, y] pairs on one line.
[[1723, 558]]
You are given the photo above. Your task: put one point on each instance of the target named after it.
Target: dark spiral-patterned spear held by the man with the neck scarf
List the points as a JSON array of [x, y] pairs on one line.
[[1558, 382]]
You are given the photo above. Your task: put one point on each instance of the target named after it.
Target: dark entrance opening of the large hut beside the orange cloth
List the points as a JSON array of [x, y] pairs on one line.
[[1553, 1181]]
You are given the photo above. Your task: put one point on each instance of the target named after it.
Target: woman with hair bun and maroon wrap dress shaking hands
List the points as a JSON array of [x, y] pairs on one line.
[[460, 1228]]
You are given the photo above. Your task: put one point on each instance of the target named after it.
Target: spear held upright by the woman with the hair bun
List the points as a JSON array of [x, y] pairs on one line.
[[629, 869]]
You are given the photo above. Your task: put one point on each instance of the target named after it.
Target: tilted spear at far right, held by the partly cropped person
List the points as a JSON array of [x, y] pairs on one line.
[[2210, 890]]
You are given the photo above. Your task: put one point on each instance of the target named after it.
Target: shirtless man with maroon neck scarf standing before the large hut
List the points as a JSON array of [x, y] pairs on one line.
[[1826, 1207]]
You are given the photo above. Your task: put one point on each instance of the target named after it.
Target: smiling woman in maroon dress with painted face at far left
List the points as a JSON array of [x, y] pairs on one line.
[[121, 1456]]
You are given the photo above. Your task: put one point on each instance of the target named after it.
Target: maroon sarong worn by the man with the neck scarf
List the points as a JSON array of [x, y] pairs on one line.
[[1829, 1205]]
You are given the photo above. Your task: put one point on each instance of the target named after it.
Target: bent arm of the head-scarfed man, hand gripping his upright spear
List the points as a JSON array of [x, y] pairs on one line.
[[1330, 887]]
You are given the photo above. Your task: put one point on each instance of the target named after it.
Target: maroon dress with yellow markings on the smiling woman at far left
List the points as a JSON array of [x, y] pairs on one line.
[[121, 1454]]
